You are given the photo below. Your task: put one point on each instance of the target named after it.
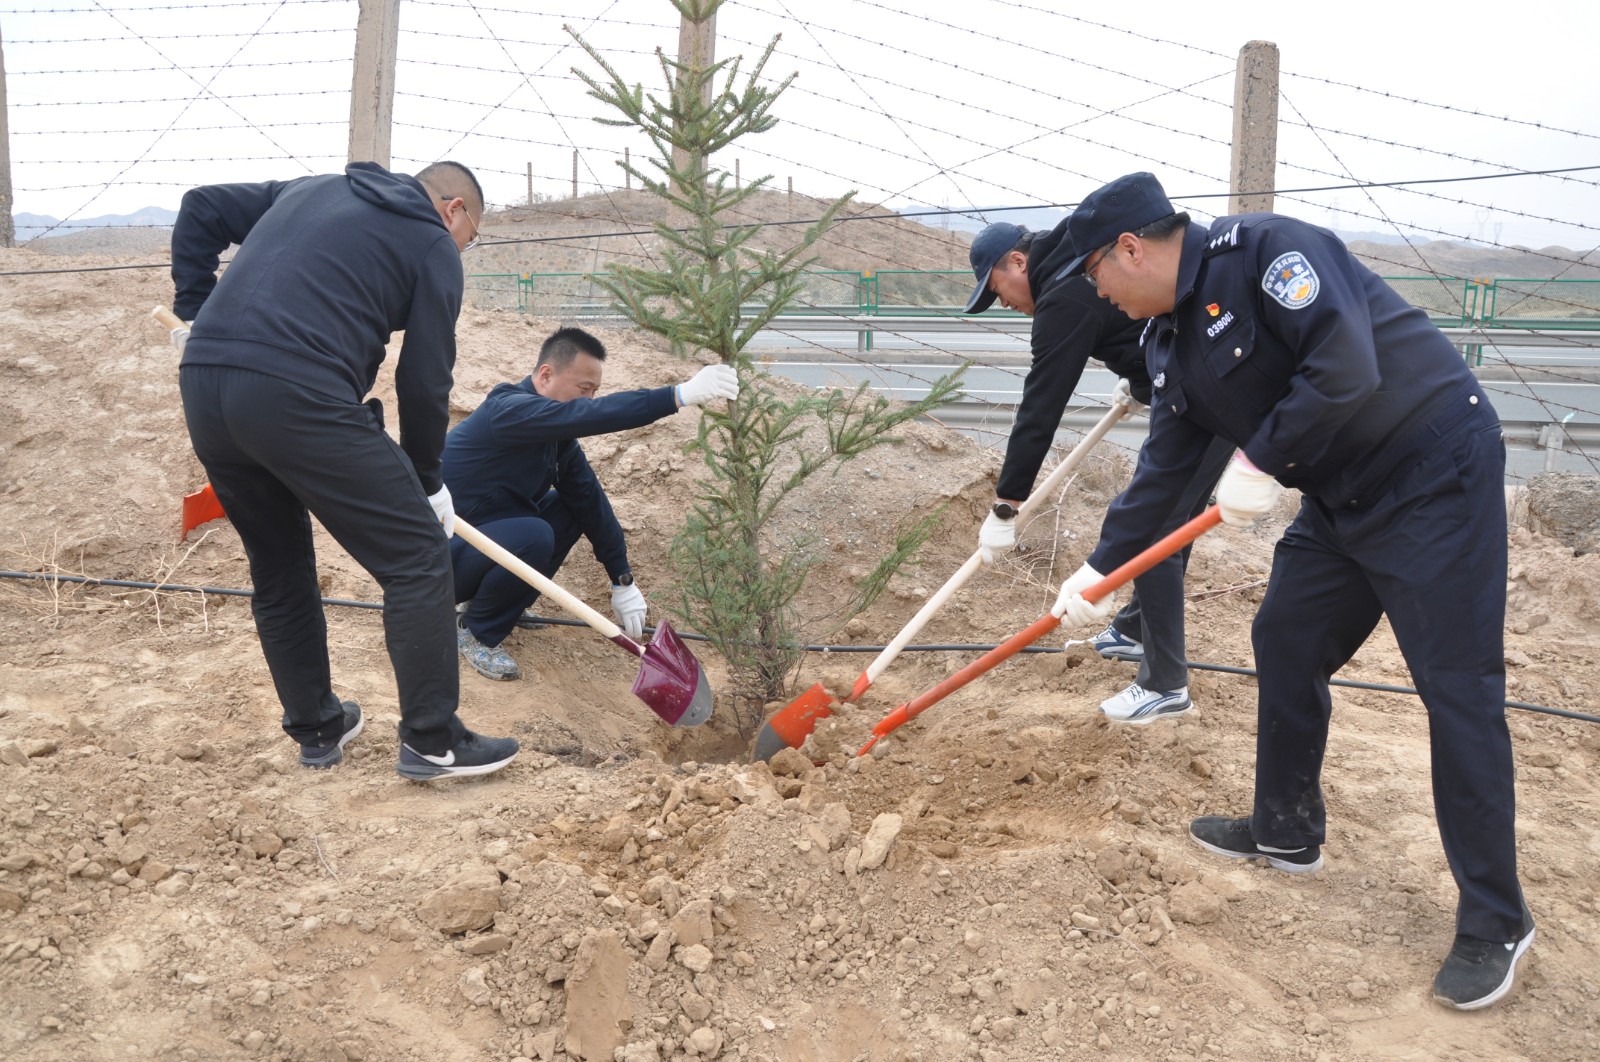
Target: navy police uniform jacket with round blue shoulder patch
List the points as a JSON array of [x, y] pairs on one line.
[[1300, 356]]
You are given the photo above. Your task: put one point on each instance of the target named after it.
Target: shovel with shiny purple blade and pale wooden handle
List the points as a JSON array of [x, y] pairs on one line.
[[670, 679]]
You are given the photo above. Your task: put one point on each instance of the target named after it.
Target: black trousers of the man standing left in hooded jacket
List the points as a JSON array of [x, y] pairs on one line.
[[279, 453]]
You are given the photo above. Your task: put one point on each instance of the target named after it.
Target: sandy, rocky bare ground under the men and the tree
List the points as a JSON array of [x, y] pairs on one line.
[[1012, 880]]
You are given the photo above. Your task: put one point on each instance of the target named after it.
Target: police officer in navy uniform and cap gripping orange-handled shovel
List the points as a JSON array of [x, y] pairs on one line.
[[1268, 333]]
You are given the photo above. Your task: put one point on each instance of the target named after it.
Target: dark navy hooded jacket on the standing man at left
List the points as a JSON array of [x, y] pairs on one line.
[[329, 268]]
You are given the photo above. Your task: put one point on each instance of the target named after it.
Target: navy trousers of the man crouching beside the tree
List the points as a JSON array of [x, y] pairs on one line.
[[497, 596]]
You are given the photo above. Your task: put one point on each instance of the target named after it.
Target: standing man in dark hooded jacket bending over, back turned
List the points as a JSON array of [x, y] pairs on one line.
[[281, 354]]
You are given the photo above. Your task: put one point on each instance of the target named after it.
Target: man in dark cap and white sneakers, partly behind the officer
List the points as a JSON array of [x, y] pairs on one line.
[[1025, 271]]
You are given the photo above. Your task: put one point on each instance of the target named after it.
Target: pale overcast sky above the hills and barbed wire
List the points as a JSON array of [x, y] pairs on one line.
[[964, 105]]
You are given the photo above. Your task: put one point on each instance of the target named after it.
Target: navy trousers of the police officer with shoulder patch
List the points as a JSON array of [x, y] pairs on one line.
[[1431, 556]]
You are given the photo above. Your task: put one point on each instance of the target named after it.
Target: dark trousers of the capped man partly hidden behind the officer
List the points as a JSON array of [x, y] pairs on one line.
[[1156, 612]]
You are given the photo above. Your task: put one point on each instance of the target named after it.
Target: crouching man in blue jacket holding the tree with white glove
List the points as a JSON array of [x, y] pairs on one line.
[[516, 469]]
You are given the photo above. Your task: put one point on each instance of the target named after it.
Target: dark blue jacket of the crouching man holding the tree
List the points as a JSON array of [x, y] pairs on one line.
[[519, 445]]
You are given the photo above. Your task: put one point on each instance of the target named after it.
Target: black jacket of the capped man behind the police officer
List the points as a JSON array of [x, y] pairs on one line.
[[1071, 325]]
